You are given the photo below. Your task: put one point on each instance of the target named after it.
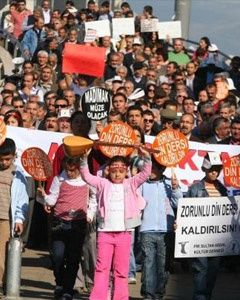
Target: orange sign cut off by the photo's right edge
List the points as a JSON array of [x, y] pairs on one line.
[[231, 171]]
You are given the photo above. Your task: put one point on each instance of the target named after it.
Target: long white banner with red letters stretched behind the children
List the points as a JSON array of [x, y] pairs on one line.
[[187, 172]]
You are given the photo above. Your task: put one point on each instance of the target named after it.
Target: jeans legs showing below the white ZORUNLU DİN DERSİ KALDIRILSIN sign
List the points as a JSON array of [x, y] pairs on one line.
[[205, 271]]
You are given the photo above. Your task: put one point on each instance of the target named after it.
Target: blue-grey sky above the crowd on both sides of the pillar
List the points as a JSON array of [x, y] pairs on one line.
[[217, 19]]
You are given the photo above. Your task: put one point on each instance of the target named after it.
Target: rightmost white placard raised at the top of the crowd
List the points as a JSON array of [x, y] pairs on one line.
[[169, 29]]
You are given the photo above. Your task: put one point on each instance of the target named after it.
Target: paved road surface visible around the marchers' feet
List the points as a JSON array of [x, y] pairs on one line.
[[38, 283]]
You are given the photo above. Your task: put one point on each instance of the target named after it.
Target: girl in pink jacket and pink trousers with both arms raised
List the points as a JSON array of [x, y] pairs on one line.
[[118, 211]]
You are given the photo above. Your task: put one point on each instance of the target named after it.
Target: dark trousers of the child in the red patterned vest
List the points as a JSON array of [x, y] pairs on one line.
[[67, 241]]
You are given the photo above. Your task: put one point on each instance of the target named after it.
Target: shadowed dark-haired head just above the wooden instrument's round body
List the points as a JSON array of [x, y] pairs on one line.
[[80, 124]]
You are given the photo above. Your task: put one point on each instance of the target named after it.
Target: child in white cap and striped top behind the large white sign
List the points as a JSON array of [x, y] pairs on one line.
[[205, 269]]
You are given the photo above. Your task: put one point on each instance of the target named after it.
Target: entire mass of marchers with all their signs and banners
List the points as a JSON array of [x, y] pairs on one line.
[[119, 150]]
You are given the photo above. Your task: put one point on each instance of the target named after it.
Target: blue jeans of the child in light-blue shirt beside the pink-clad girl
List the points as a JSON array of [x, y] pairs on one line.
[[154, 275]]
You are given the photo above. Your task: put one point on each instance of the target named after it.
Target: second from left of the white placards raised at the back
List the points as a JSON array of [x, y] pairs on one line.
[[123, 26]]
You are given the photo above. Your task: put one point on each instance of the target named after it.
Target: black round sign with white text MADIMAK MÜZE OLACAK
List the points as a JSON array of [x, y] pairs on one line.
[[95, 103]]
